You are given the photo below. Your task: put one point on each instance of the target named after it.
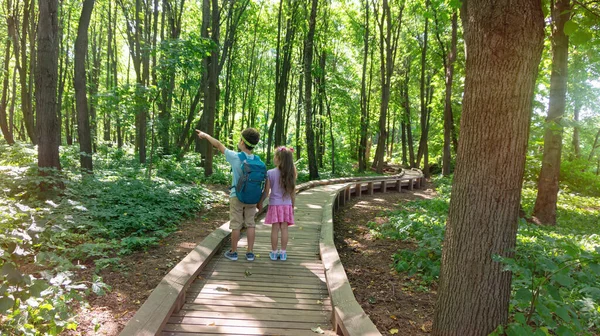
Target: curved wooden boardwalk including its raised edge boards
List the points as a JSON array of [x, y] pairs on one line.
[[309, 294]]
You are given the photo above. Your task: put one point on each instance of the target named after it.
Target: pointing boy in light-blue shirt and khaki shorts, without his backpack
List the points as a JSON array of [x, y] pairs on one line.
[[240, 214]]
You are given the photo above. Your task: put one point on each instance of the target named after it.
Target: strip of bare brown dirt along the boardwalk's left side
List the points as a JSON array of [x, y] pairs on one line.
[[140, 273]]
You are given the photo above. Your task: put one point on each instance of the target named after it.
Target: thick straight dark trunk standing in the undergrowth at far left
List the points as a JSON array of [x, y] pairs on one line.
[[46, 82]]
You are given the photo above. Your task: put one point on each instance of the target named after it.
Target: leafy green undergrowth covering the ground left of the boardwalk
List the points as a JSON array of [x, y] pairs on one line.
[[116, 211]]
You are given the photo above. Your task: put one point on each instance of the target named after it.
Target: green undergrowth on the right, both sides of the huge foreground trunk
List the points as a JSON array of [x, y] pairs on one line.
[[556, 270]]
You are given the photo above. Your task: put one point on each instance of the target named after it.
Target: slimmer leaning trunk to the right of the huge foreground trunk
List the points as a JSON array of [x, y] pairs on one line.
[[545, 203]]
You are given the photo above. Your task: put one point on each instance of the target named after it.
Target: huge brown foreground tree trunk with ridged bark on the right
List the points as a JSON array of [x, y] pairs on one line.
[[474, 290]]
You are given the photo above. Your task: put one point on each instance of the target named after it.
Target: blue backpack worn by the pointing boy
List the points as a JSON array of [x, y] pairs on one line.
[[250, 185]]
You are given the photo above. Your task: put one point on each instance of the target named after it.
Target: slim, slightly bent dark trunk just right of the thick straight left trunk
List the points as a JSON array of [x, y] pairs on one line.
[[83, 117]]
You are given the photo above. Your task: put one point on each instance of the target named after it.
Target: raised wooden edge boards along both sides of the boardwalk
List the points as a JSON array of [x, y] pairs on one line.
[[169, 296]]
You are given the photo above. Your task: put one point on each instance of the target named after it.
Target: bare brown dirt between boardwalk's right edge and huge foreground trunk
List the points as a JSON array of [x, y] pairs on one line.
[[380, 290]]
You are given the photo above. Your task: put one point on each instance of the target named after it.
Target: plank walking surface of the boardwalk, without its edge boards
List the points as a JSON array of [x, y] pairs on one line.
[[264, 297]]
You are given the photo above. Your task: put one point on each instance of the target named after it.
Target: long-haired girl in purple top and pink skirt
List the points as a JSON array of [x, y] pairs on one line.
[[281, 183]]
